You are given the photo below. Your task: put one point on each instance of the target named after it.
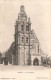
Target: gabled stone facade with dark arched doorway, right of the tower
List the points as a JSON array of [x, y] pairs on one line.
[[35, 50]]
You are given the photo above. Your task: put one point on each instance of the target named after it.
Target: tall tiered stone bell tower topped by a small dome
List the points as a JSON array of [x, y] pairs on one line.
[[22, 38]]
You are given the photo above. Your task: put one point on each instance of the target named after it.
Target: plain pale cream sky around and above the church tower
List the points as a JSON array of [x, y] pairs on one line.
[[39, 12]]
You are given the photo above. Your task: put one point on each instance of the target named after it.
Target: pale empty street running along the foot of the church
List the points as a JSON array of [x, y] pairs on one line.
[[15, 67]]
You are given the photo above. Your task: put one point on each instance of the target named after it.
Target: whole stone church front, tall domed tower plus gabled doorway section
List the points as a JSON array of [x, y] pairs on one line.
[[27, 49]]
